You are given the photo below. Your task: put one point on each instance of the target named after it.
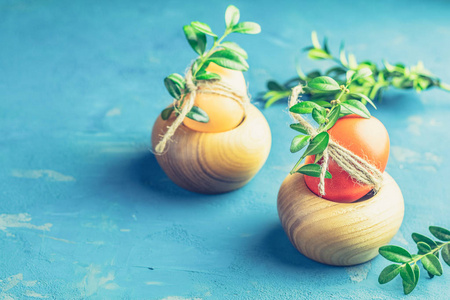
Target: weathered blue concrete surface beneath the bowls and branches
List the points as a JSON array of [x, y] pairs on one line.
[[86, 212]]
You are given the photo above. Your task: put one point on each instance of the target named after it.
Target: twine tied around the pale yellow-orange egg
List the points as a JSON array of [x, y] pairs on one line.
[[216, 87]]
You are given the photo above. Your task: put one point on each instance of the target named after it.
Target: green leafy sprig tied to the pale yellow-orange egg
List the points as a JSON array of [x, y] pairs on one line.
[[223, 53]]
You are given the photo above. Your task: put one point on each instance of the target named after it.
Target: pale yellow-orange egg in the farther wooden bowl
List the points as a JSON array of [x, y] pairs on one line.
[[224, 113]]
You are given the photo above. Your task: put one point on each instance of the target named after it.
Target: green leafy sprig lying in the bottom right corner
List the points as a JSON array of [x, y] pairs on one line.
[[406, 264]]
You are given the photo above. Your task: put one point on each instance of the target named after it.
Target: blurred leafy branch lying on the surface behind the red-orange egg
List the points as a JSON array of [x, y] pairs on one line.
[[397, 76]]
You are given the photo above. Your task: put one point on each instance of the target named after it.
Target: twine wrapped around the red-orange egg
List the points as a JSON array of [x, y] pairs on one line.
[[358, 168]]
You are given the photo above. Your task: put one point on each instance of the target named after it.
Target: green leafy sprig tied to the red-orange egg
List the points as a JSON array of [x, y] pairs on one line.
[[326, 113]]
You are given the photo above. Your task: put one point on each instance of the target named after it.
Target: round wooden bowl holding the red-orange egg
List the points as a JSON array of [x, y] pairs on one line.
[[339, 234]]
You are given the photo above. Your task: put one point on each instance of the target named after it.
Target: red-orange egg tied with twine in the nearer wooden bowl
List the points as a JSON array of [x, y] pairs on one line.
[[367, 138]]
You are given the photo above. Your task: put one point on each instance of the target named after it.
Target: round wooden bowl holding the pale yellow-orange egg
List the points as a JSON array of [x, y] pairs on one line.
[[214, 163]]
